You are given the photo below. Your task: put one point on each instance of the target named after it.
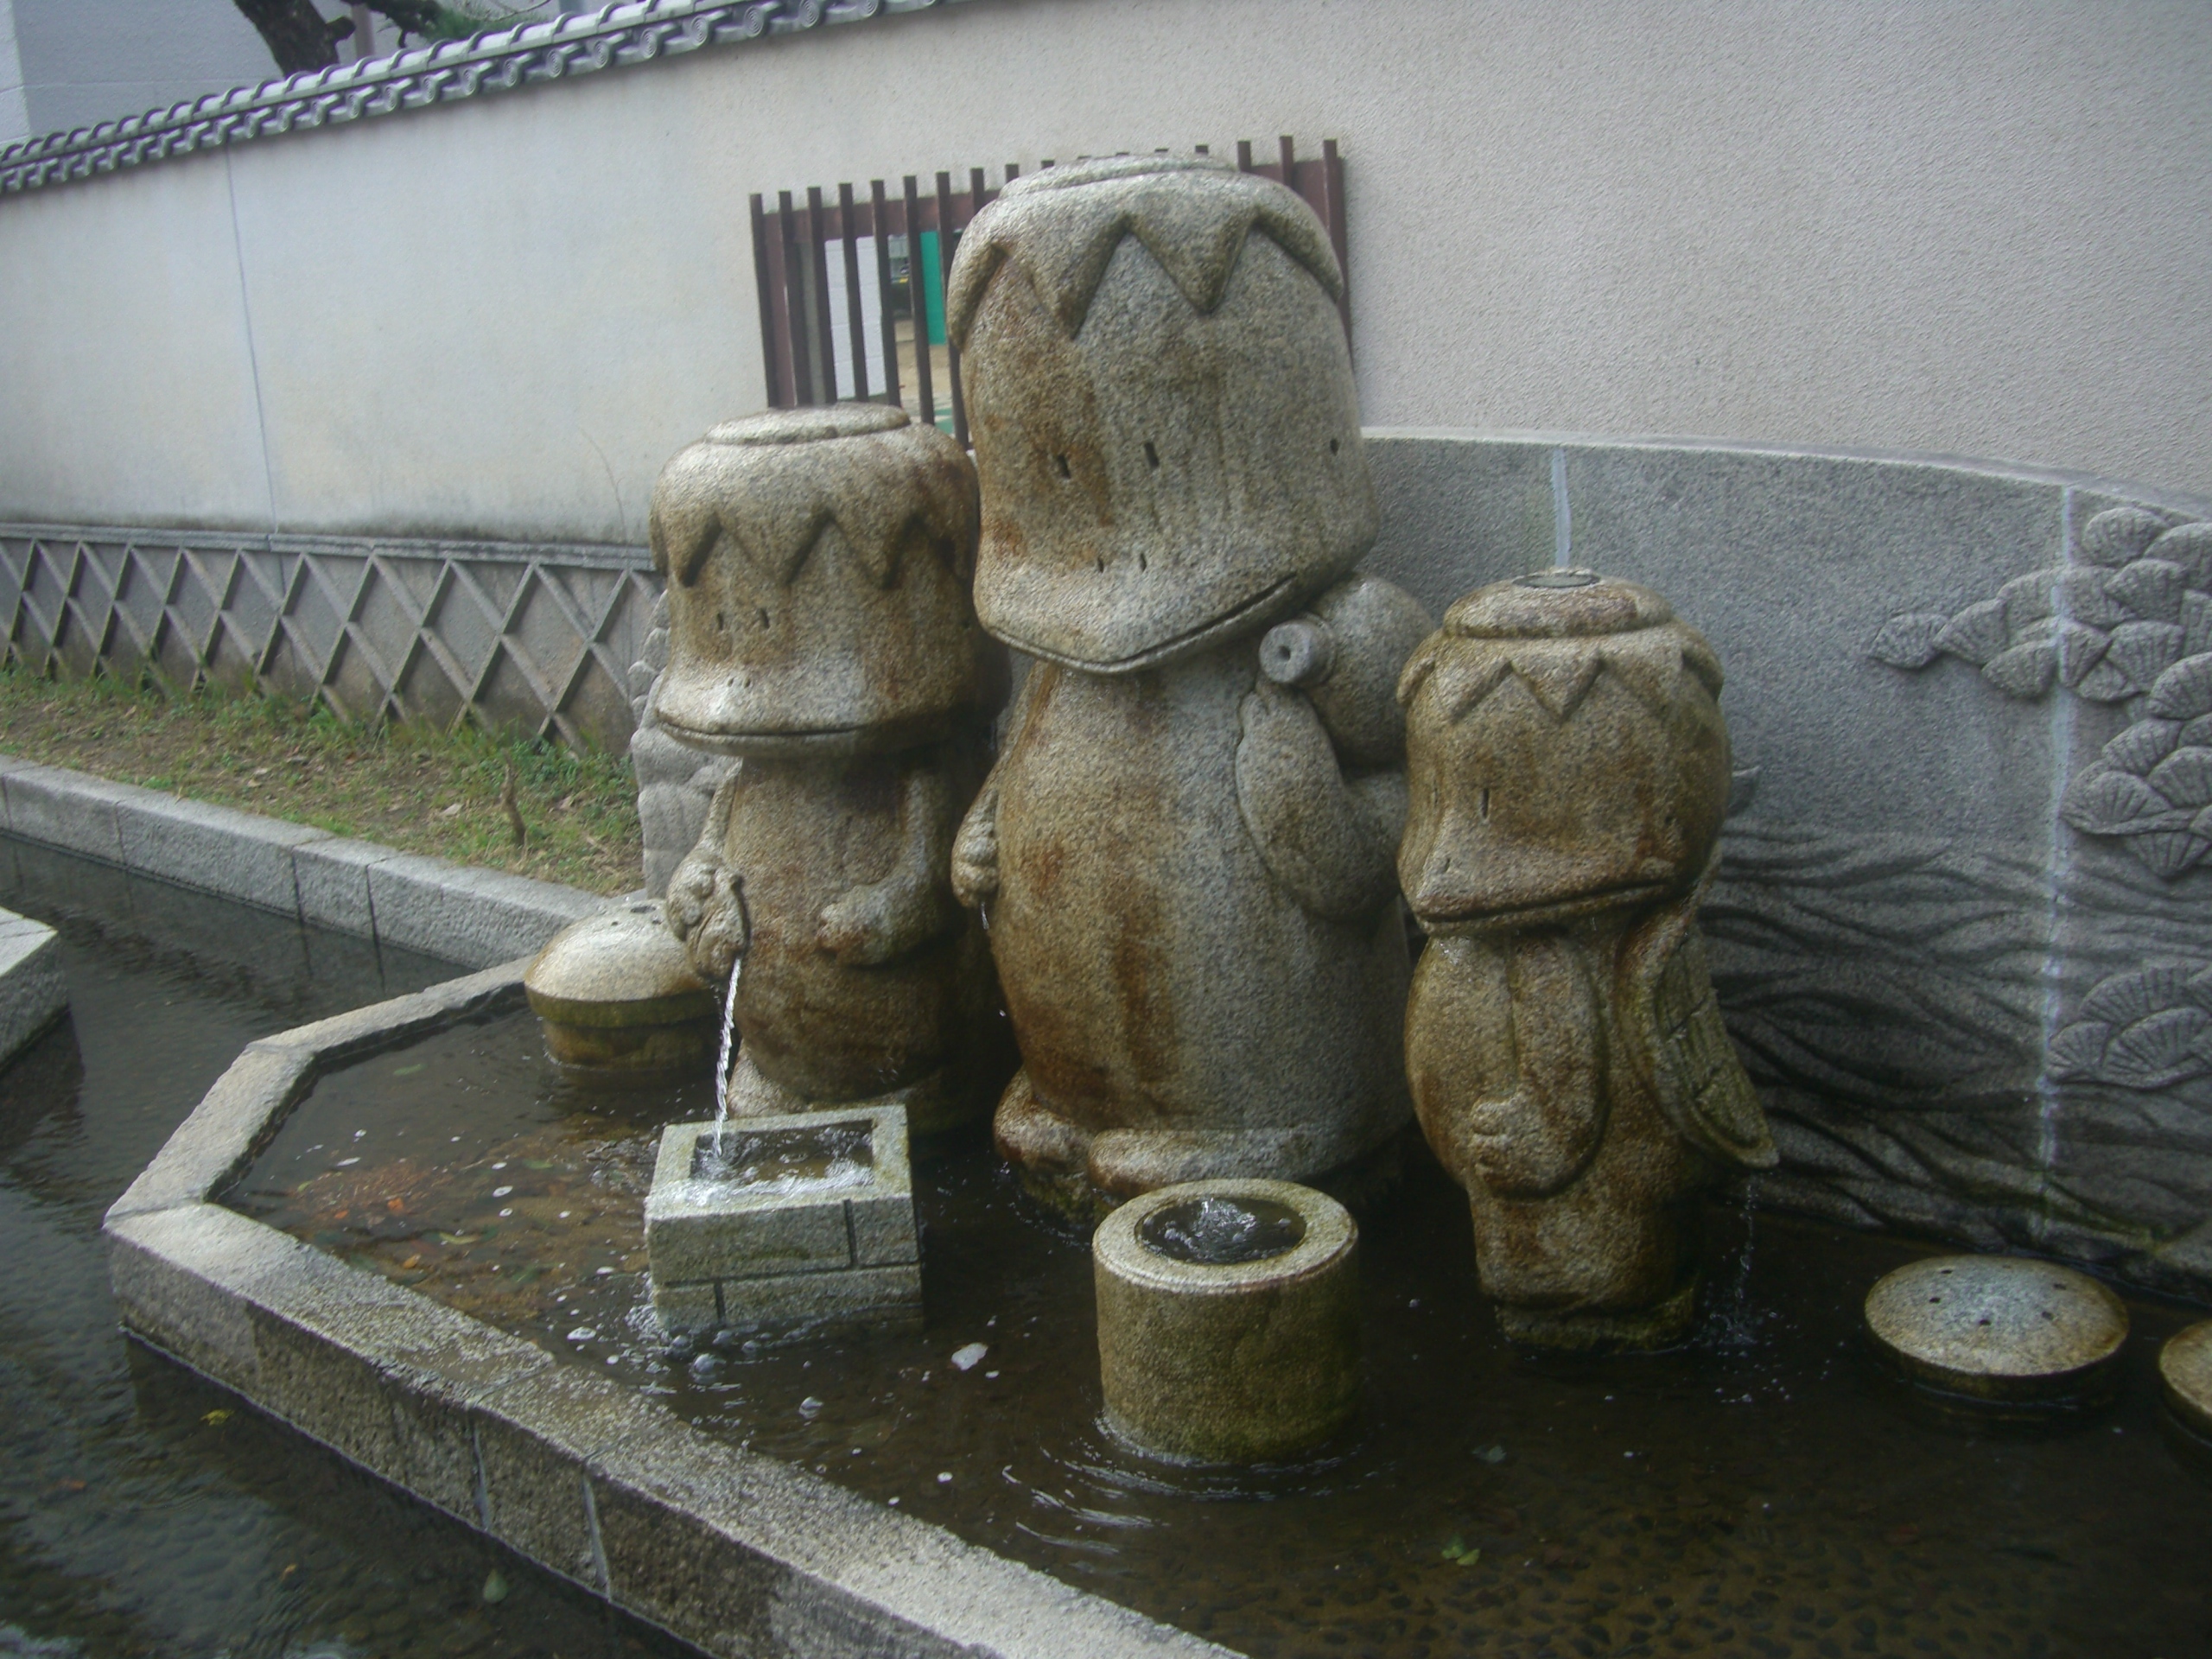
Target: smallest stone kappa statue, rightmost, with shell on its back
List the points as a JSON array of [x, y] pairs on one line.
[[1569, 778]]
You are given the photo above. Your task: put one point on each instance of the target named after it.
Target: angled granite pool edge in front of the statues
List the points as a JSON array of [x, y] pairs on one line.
[[603, 1485]]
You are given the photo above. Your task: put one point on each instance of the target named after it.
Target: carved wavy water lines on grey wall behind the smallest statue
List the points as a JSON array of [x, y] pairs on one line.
[[1892, 999]]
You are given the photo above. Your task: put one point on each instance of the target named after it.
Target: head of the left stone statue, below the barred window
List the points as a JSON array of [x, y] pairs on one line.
[[817, 570]]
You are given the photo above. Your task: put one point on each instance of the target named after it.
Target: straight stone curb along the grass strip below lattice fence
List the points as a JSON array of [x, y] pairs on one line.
[[470, 917]]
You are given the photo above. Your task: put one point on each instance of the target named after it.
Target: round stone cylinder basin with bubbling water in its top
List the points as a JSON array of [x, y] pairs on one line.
[[1229, 1319]]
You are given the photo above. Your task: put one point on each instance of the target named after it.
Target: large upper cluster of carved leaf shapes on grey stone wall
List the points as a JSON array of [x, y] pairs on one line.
[[2131, 627]]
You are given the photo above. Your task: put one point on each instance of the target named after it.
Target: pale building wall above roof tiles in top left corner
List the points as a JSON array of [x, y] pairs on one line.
[[96, 61]]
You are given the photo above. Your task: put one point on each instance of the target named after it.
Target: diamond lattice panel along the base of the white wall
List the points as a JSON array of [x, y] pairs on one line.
[[534, 638]]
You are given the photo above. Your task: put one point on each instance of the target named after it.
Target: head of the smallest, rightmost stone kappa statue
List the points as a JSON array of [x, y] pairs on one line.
[[1567, 755]]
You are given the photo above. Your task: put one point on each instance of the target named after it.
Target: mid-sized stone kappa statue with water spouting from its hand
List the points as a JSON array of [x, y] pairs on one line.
[[820, 629]]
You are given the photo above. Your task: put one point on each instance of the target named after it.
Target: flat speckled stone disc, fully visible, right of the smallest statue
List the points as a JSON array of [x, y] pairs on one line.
[[1999, 1328]]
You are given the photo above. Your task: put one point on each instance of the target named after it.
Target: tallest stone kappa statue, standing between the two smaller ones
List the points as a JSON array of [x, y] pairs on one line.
[[1185, 851]]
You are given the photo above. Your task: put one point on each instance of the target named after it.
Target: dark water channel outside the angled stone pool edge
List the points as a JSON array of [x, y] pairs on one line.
[[140, 1510]]
